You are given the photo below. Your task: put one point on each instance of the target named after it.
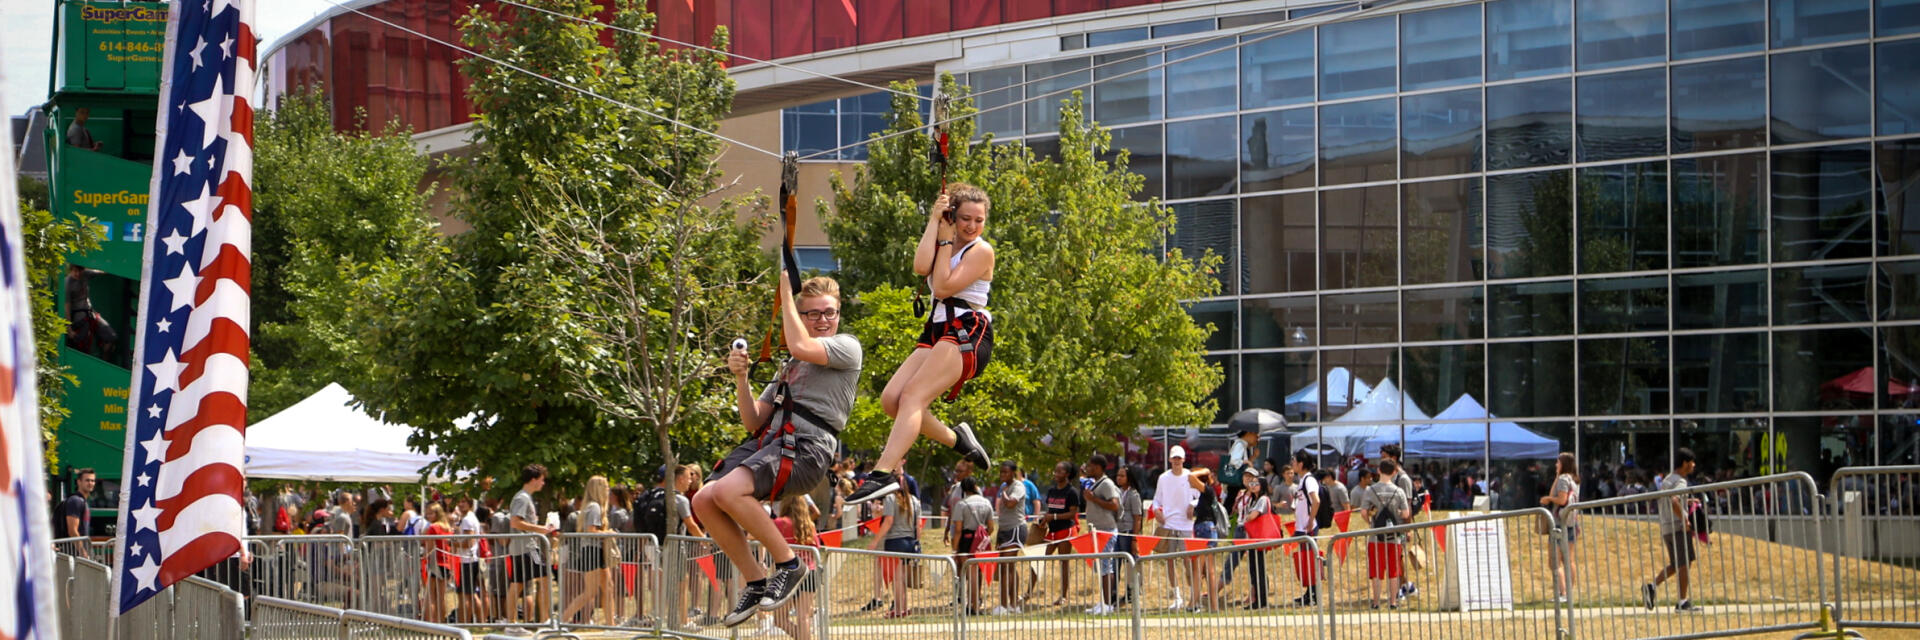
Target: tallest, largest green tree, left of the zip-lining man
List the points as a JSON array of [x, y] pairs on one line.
[[569, 199]]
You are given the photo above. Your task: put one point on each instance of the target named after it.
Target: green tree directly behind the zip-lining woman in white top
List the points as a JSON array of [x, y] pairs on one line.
[[1092, 328]]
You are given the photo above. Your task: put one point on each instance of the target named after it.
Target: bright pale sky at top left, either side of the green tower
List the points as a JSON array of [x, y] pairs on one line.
[[26, 43]]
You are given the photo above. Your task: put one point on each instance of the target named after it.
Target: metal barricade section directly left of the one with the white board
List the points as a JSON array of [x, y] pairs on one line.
[[1224, 589]]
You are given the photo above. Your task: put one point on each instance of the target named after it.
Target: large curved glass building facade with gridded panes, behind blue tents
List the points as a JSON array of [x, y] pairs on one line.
[[1620, 226]]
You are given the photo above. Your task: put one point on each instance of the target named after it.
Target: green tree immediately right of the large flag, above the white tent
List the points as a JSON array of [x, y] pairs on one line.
[[329, 209]]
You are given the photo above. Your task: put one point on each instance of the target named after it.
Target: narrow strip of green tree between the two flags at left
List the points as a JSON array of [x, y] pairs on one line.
[[49, 243]]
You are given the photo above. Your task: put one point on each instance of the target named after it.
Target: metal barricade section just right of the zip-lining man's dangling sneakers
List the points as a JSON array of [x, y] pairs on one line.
[[888, 595]]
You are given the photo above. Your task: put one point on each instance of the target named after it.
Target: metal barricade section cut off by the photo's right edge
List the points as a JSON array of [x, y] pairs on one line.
[[1877, 551]]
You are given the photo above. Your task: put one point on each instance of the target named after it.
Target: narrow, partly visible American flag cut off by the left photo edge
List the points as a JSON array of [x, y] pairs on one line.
[[28, 564]]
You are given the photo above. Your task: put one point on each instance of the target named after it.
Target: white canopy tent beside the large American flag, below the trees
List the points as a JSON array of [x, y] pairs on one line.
[[327, 439]]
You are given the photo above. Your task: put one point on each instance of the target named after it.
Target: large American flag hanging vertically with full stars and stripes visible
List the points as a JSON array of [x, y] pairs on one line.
[[183, 483]]
